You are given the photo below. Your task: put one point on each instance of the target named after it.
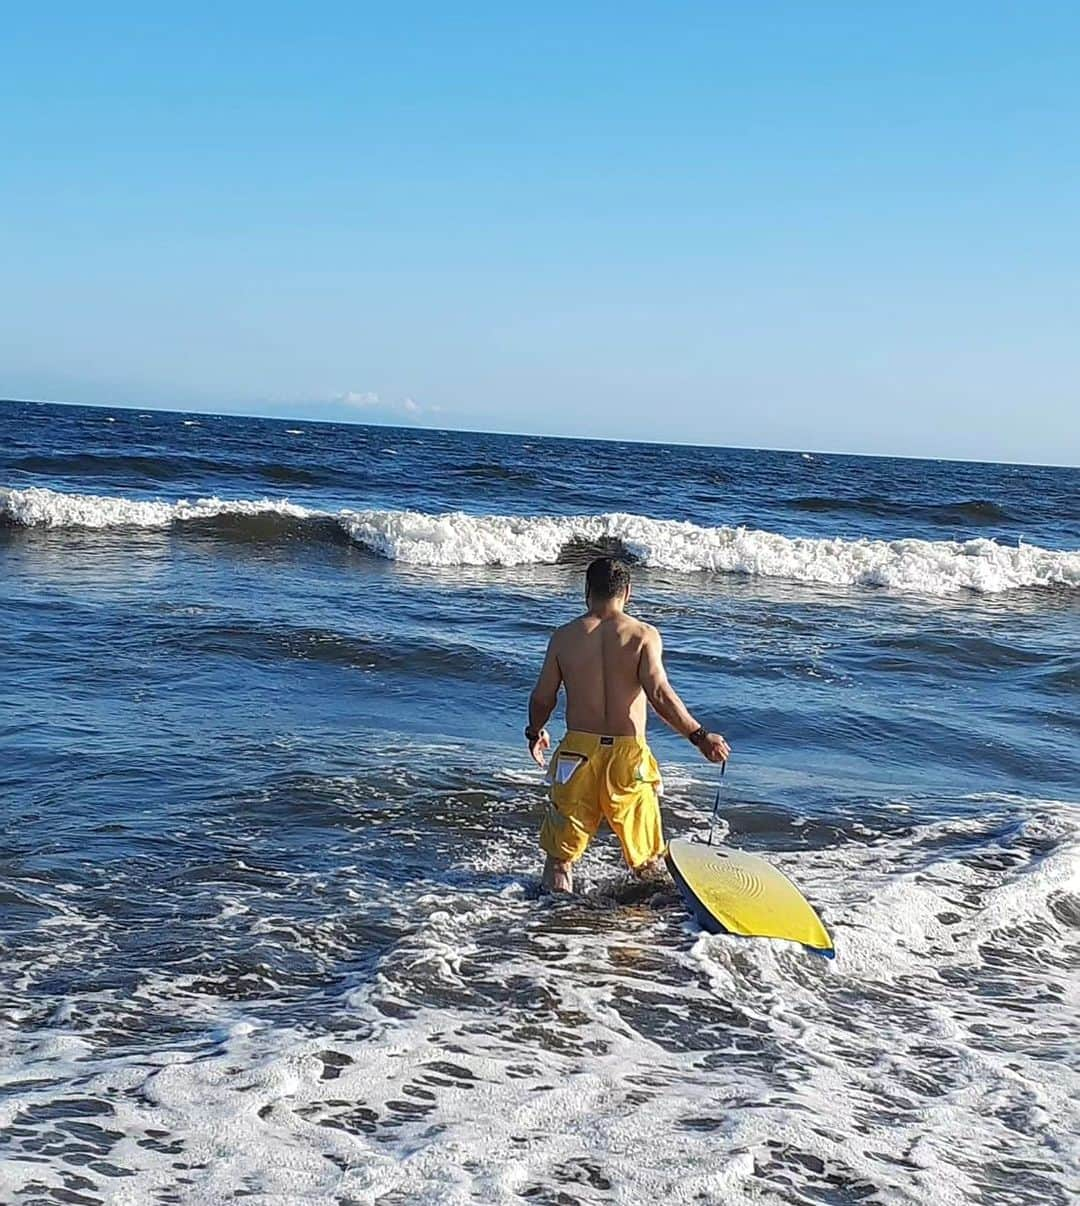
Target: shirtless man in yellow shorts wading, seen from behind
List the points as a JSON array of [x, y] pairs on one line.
[[611, 665]]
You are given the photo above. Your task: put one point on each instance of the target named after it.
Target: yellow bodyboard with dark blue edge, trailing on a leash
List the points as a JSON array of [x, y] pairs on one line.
[[742, 894]]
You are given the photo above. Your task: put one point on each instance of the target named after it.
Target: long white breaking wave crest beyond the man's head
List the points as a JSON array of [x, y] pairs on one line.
[[926, 567]]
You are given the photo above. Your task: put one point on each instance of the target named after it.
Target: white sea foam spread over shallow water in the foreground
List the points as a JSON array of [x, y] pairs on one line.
[[928, 1066]]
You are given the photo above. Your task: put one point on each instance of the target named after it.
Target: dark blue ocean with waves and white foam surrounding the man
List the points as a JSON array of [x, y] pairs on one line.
[[271, 926]]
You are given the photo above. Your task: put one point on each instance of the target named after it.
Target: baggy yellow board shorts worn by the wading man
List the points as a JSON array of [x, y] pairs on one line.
[[600, 778]]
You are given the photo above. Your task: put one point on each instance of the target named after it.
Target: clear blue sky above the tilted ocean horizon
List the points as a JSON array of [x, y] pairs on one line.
[[821, 226]]
